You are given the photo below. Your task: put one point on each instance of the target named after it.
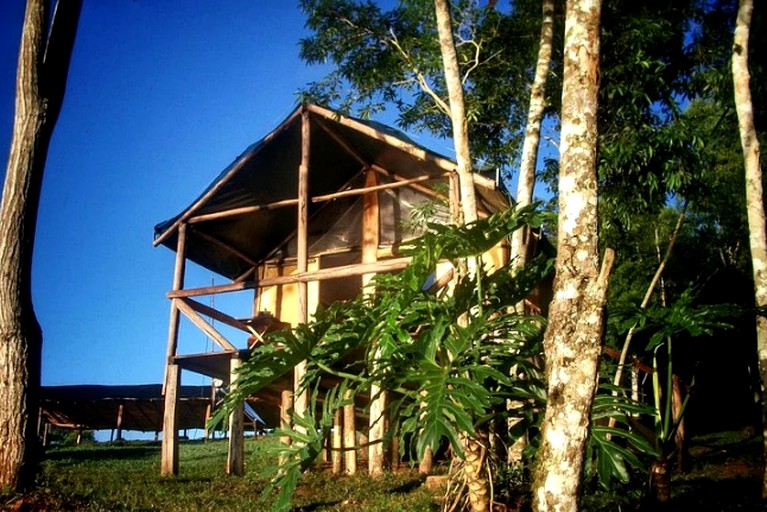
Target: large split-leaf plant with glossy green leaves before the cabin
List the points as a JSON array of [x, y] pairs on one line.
[[447, 379]]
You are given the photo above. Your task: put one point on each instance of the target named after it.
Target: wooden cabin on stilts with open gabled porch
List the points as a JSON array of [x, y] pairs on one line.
[[304, 217]]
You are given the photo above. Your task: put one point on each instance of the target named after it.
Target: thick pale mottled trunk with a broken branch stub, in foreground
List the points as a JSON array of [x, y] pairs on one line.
[[573, 338]]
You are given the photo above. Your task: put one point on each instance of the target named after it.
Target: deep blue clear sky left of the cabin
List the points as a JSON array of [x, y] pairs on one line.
[[161, 97]]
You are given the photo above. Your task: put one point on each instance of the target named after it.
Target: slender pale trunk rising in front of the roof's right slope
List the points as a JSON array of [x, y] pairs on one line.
[[457, 110]]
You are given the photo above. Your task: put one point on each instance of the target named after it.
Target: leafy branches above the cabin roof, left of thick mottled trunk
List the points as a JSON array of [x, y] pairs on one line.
[[391, 59]]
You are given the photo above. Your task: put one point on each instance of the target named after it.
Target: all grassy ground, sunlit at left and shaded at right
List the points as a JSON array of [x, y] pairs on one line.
[[723, 474]]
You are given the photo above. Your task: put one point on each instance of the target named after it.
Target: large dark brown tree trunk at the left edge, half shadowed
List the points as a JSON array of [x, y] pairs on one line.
[[43, 66]]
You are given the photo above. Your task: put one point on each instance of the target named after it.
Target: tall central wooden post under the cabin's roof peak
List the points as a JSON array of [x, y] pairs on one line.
[[301, 399]]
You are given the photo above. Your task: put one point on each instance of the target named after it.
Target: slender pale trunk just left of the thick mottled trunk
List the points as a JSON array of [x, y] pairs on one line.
[[526, 181]]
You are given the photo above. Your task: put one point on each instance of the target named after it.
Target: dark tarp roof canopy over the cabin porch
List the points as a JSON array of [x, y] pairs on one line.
[[342, 149]]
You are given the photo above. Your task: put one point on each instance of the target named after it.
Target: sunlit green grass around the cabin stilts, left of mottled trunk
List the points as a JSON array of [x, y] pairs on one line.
[[118, 477]]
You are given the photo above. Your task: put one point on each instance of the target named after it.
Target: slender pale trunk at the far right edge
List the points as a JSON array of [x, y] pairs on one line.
[[754, 193]]
